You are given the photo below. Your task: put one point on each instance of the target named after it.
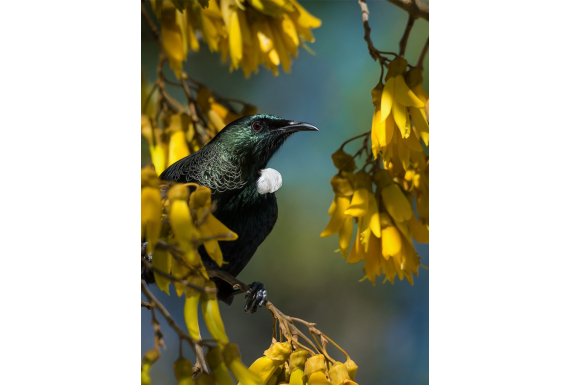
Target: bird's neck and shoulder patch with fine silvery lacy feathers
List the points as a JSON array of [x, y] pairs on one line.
[[209, 167]]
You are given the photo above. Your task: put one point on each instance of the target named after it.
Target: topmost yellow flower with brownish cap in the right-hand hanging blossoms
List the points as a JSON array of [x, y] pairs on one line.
[[396, 96]]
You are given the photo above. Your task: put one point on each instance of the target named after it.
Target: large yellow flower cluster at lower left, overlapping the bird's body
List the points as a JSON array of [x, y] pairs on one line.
[[180, 221]]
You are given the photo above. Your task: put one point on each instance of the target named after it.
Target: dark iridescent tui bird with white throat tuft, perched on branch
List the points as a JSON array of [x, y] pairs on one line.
[[231, 165]]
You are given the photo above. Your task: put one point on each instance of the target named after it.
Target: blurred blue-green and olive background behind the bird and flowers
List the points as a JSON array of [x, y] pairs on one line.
[[385, 327]]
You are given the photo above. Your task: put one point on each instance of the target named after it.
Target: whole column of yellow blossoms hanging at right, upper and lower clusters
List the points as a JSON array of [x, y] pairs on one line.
[[379, 200]]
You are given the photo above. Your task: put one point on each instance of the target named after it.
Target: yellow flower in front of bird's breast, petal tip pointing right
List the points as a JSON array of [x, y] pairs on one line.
[[211, 229]]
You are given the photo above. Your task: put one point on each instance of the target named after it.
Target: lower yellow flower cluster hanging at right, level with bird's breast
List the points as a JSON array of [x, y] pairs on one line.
[[378, 201]]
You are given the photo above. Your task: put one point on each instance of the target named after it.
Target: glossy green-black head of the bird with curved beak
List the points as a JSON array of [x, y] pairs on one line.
[[255, 138]]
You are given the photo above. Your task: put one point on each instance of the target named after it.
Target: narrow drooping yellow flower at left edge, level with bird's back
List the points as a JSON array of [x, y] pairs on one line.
[[151, 207]]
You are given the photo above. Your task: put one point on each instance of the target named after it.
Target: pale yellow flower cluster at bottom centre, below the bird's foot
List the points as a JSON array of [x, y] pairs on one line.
[[280, 365]]
